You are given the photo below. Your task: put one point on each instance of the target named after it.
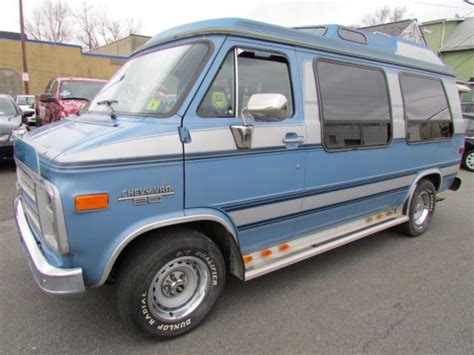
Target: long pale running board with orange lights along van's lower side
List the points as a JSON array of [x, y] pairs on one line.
[[313, 250]]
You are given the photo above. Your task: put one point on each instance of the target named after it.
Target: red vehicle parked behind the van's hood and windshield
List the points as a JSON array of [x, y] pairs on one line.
[[64, 97]]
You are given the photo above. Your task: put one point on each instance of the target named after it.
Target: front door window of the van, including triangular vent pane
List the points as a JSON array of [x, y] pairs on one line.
[[258, 72]]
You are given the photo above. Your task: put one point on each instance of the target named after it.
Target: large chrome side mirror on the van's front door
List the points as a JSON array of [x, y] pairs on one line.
[[268, 107]]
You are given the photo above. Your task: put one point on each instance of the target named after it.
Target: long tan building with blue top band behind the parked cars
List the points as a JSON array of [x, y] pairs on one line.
[[47, 60]]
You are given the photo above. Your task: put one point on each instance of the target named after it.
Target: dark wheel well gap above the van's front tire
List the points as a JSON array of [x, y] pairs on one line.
[[213, 230]]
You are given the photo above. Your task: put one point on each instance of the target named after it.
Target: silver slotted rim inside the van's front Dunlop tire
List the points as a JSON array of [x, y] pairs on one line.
[[178, 288]]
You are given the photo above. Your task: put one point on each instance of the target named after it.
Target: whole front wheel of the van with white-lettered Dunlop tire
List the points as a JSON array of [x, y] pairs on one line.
[[150, 274]]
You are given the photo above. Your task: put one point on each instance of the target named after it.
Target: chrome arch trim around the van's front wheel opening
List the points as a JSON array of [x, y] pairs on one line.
[[156, 225]]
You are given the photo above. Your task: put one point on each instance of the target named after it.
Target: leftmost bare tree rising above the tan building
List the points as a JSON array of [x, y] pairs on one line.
[[50, 21]]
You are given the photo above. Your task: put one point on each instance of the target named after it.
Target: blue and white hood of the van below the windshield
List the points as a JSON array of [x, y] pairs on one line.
[[93, 140]]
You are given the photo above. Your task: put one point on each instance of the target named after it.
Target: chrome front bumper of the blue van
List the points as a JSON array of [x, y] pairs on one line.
[[53, 280]]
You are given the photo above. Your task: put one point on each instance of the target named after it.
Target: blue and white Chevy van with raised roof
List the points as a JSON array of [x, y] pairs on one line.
[[235, 147]]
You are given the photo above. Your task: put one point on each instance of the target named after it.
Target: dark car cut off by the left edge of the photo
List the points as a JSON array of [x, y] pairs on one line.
[[11, 123]]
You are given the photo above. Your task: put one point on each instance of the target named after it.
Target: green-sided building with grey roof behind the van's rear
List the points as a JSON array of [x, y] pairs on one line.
[[453, 39]]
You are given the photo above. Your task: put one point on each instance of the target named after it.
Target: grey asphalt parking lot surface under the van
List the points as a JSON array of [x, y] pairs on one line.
[[383, 294]]
